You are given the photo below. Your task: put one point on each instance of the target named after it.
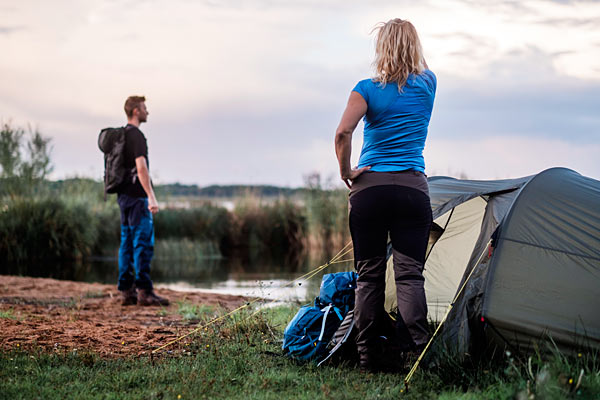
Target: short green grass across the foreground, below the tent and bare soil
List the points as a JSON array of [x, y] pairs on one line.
[[240, 358]]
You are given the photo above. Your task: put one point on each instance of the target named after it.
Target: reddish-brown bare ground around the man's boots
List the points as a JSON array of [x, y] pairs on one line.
[[61, 316]]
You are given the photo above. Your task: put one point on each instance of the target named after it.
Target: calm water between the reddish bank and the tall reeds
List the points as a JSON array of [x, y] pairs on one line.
[[268, 279]]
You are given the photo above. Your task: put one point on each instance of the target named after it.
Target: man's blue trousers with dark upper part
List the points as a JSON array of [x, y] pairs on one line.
[[137, 243]]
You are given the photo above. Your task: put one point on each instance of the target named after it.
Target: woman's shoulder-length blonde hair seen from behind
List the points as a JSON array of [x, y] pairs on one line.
[[398, 52]]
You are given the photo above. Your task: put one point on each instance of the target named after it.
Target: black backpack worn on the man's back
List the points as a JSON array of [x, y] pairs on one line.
[[111, 142]]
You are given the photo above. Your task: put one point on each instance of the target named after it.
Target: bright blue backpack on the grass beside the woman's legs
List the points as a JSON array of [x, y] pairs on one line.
[[308, 333]]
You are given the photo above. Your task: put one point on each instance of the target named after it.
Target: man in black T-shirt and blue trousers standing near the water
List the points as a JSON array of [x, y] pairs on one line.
[[138, 204]]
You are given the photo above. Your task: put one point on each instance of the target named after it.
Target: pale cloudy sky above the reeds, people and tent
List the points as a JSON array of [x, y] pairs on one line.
[[251, 91]]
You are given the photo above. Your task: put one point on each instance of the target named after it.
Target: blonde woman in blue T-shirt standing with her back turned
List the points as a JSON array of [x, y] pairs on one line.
[[388, 190]]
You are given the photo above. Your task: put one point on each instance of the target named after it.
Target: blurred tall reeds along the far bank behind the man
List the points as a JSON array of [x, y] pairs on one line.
[[71, 220]]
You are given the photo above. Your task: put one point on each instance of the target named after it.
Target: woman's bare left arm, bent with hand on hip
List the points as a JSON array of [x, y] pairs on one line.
[[355, 110]]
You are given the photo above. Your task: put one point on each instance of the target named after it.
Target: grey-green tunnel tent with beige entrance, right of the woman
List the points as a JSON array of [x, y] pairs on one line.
[[534, 243]]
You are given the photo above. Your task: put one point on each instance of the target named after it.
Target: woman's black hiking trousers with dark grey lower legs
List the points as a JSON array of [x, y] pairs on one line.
[[403, 213]]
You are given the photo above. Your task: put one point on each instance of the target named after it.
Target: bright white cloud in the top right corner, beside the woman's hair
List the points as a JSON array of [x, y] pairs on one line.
[[473, 34]]
